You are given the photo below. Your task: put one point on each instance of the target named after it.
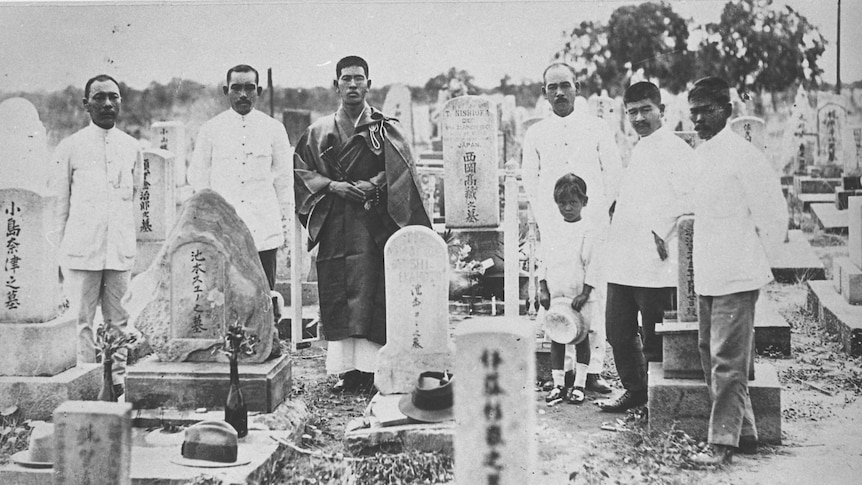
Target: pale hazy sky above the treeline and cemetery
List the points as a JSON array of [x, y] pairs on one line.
[[51, 45]]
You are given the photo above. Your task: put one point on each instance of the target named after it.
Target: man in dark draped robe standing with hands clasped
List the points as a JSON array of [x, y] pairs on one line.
[[355, 186]]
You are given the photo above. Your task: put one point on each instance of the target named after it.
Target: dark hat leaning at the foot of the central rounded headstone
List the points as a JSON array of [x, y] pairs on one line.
[[431, 398]]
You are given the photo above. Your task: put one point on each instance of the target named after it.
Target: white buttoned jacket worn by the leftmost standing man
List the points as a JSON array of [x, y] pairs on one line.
[[94, 181]]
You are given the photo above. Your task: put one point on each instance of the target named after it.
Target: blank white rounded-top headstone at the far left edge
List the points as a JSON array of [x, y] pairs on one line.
[[24, 153]]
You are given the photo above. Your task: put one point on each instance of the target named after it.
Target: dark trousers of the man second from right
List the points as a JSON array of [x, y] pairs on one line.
[[621, 321]]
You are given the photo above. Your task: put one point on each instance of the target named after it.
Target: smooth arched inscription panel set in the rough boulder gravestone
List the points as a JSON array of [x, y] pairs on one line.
[[197, 292]]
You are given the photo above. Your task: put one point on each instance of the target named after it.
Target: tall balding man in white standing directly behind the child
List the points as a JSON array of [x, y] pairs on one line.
[[569, 142]]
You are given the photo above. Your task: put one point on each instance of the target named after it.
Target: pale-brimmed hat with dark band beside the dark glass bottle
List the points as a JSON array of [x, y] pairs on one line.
[[211, 444]]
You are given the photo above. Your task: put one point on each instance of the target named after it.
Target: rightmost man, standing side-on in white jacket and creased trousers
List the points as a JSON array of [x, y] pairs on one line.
[[739, 213]]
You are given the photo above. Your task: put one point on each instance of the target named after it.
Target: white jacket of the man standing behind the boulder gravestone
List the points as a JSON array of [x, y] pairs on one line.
[[248, 161]]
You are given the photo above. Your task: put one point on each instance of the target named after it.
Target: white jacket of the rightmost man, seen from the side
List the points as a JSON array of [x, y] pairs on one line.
[[739, 212]]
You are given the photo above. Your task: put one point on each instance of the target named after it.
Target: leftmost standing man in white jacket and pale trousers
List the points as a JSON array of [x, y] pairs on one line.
[[94, 186]]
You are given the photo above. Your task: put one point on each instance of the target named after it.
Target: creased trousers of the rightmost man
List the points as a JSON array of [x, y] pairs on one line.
[[725, 340]]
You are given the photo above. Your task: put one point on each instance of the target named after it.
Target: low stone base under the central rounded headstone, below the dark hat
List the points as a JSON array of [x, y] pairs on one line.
[[399, 434]]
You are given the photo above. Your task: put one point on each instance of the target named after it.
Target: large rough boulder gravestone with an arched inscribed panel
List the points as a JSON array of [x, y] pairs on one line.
[[206, 276]]
